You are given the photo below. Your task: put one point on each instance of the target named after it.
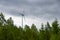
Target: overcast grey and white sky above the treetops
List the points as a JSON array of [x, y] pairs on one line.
[[35, 11]]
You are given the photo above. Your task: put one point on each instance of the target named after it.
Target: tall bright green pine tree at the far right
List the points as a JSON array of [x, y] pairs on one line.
[[55, 30]]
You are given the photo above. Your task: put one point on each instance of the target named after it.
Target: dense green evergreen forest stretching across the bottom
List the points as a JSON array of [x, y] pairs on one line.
[[9, 31]]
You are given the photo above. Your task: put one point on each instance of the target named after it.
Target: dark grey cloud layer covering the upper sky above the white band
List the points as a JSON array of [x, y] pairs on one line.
[[36, 8]]
